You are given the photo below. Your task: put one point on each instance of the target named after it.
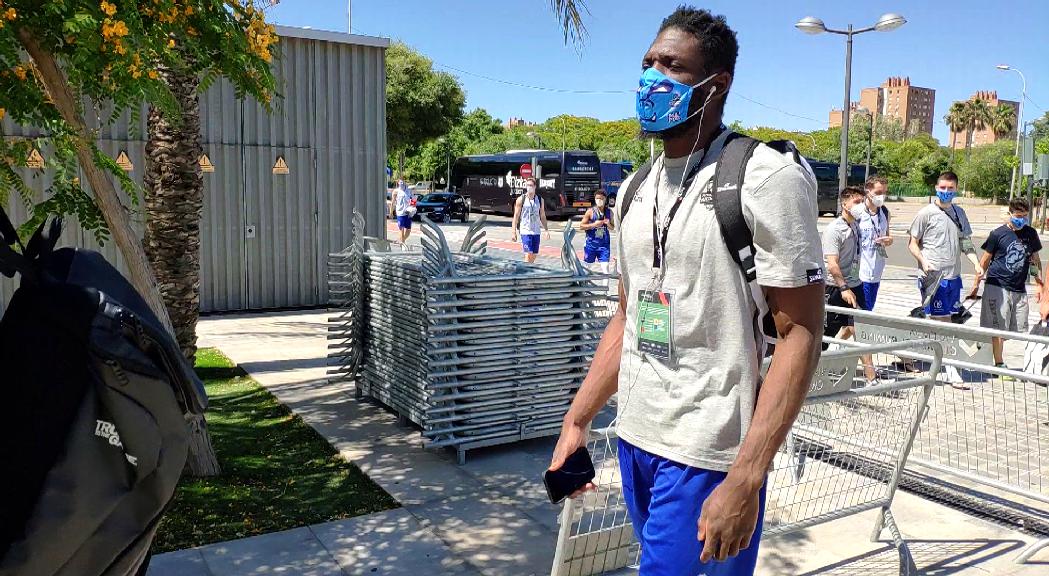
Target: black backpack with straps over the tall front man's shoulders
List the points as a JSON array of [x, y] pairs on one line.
[[729, 209]]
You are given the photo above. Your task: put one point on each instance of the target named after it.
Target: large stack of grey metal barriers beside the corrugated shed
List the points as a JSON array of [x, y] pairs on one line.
[[477, 351]]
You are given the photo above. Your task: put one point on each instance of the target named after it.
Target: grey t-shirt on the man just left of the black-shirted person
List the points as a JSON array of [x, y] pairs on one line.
[[937, 232]]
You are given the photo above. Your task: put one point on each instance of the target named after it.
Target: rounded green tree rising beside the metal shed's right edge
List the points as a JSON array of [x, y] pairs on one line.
[[421, 104]]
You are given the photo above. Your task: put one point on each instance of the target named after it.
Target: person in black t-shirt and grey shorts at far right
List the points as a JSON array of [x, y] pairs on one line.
[[1010, 253]]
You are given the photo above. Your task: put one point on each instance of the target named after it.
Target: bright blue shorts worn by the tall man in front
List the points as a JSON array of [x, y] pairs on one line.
[[665, 500]]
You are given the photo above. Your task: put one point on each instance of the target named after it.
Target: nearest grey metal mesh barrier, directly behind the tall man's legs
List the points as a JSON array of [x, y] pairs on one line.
[[844, 456]]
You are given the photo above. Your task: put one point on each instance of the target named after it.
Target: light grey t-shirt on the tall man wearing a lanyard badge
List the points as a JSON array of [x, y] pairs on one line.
[[698, 412]]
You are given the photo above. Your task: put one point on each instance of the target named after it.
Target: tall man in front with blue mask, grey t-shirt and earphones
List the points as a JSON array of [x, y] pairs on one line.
[[697, 437]]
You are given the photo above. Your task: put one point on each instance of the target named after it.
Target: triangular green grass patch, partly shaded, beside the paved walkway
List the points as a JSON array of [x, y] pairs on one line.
[[277, 473]]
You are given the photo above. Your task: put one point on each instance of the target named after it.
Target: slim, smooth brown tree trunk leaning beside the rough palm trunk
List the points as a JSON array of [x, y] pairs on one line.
[[115, 214]]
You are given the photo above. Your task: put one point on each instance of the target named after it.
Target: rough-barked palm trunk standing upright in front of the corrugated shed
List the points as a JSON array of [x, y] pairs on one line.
[[175, 202]]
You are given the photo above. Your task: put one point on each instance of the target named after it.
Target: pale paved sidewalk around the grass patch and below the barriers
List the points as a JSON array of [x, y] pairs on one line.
[[491, 517]]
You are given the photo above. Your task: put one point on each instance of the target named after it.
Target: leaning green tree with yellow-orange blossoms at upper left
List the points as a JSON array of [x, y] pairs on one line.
[[55, 55]]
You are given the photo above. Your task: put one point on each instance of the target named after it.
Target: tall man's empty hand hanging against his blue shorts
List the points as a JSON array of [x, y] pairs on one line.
[[729, 521]]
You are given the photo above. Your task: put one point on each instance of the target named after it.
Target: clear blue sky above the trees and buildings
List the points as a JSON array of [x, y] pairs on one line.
[[952, 47]]
